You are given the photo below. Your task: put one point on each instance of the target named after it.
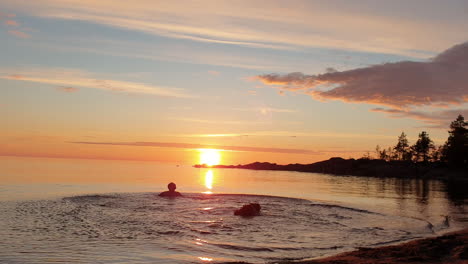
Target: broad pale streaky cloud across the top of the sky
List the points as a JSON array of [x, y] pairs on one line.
[[274, 24]]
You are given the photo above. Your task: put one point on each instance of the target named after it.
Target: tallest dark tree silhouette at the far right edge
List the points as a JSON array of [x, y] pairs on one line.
[[456, 147]]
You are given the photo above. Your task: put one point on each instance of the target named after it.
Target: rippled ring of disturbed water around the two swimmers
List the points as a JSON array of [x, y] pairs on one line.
[[146, 228]]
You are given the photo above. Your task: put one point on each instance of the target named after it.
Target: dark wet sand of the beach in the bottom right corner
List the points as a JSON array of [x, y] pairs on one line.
[[450, 248]]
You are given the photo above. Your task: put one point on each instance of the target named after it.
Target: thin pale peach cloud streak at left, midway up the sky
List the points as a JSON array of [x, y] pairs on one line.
[[78, 78]]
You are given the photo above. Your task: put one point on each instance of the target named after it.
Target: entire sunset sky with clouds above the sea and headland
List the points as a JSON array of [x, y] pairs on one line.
[[277, 81]]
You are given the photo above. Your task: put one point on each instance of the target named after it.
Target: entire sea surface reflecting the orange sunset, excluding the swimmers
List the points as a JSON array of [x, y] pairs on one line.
[[85, 211]]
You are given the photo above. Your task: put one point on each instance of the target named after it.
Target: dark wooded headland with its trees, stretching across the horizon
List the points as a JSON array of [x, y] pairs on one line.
[[421, 160]]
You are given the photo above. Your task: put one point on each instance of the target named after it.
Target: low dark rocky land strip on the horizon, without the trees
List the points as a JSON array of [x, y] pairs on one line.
[[360, 167]]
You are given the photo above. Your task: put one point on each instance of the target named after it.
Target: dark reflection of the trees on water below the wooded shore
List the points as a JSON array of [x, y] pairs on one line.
[[421, 198]]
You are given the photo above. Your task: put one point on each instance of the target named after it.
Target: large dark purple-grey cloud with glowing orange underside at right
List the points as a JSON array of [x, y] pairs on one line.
[[441, 80]]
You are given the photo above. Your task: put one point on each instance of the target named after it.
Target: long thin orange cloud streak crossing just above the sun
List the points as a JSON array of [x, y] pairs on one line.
[[202, 146]]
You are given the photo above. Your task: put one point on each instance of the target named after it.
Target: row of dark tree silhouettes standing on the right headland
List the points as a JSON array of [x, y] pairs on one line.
[[454, 152]]
